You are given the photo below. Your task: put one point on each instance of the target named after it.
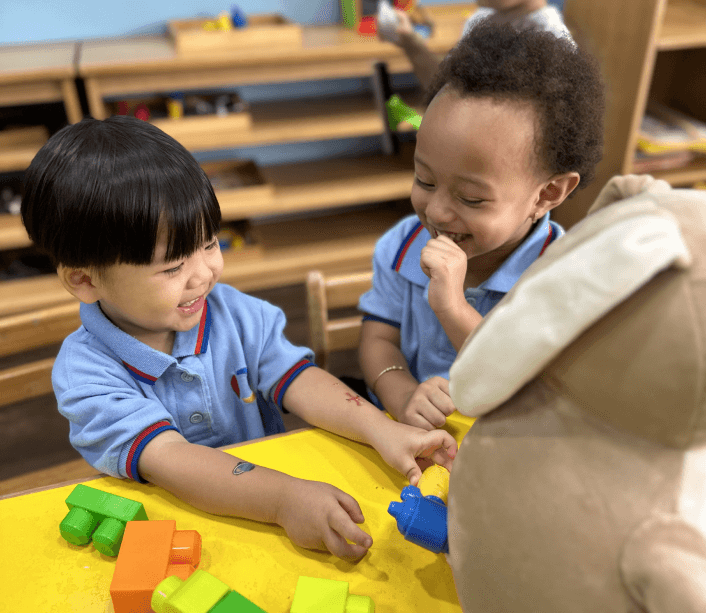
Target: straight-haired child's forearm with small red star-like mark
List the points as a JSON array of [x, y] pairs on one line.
[[323, 401]]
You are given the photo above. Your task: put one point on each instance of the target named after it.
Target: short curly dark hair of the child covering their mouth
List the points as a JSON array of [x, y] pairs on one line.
[[560, 80]]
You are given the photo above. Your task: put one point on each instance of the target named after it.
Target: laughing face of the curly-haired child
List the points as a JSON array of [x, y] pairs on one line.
[[477, 179]]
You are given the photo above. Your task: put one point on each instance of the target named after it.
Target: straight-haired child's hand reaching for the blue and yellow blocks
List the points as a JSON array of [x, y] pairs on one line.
[[404, 447]]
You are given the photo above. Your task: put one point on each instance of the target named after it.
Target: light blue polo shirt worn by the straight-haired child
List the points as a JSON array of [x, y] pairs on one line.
[[222, 384]]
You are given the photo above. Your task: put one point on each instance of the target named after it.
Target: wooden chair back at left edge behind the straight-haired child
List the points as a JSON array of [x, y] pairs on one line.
[[28, 331]]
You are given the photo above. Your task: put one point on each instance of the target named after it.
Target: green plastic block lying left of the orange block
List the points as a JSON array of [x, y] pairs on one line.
[[98, 515]]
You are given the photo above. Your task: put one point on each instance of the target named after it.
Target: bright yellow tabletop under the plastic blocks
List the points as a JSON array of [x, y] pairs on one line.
[[40, 572]]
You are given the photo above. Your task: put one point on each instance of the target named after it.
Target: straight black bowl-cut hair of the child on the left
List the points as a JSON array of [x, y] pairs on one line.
[[99, 193]]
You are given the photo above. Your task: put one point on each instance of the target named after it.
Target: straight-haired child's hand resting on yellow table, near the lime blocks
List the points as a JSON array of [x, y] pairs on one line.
[[319, 516]]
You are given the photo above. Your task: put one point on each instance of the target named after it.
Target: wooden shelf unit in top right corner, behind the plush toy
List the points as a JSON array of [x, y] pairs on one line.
[[648, 49]]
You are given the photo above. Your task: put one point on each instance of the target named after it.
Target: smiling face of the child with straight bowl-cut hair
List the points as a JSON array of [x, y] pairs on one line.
[[153, 302]]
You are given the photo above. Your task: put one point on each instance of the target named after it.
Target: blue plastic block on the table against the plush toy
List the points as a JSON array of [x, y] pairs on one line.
[[421, 520]]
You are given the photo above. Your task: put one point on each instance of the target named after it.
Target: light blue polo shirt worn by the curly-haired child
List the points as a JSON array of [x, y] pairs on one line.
[[399, 295]]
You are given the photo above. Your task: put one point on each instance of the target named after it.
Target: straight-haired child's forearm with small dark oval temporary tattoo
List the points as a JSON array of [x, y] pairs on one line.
[[203, 477]]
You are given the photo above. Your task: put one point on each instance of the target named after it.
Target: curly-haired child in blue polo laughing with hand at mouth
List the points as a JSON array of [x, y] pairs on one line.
[[514, 125]]
